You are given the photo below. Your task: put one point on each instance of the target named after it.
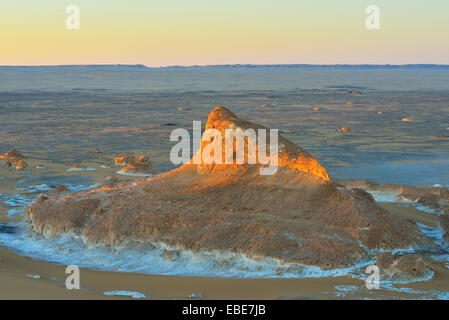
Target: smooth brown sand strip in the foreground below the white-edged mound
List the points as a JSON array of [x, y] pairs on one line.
[[17, 285]]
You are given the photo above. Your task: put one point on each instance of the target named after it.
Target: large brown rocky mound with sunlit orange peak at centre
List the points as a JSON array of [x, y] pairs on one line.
[[296, 215]]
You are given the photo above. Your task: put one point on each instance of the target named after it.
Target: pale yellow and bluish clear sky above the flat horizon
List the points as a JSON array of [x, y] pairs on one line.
[[204, 32]]
